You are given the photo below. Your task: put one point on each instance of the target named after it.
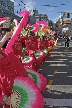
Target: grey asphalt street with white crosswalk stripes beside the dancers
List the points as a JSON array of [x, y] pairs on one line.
[[58, 71]]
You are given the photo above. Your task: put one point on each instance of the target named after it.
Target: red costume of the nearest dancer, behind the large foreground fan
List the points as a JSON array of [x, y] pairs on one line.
[[10, 67]]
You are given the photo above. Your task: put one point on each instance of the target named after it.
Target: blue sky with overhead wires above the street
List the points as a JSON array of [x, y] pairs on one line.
[[52, 12]]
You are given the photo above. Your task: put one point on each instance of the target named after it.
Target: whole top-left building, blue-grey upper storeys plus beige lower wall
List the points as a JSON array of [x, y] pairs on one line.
[[7, 10]]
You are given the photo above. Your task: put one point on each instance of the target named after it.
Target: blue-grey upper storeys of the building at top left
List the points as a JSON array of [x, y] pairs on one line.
[[7, 9]]
